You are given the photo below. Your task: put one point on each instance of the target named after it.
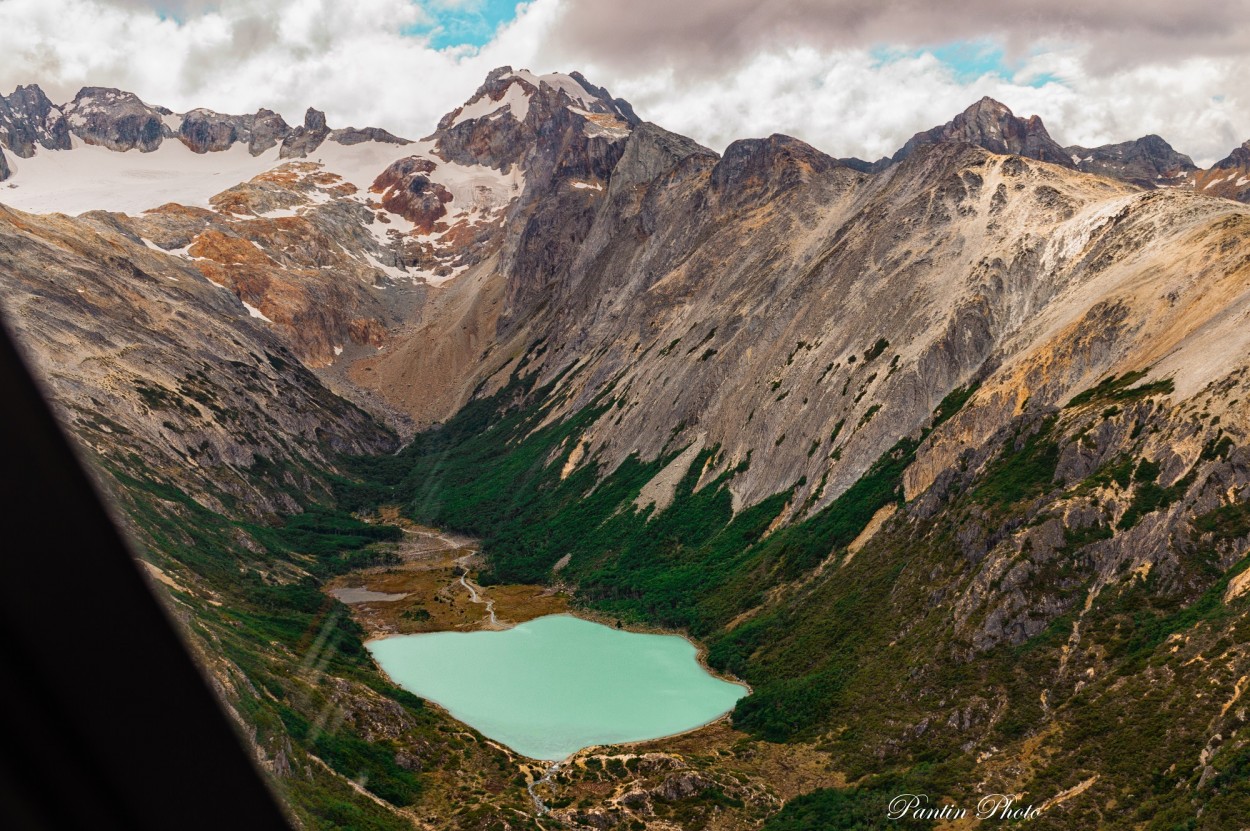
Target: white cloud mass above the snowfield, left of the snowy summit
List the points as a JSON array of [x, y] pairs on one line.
[[349, 59]]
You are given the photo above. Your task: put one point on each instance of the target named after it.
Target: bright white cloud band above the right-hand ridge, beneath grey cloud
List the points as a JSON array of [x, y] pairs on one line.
[[851, 103]]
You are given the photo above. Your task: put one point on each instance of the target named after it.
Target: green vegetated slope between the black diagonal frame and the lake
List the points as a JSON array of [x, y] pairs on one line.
[[269, 622]]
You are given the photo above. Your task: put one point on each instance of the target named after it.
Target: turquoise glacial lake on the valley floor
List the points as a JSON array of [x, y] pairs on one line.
[[558, 684]]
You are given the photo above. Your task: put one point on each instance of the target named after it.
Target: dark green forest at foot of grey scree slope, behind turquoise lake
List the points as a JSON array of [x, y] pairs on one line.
[[696, 565]]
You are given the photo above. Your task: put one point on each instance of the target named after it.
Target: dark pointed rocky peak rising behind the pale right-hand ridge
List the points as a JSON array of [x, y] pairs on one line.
[[992, 126]]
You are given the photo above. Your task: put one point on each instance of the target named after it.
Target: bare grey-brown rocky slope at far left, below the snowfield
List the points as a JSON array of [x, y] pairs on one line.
[[182, 378]]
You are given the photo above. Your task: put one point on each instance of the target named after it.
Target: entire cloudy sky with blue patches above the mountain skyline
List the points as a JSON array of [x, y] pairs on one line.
[[851, 77]]
